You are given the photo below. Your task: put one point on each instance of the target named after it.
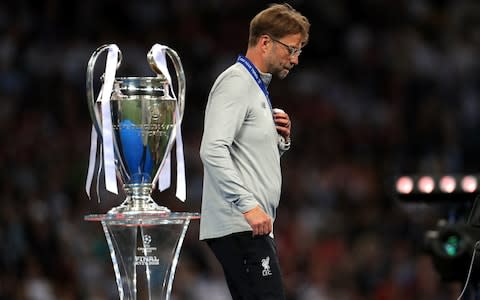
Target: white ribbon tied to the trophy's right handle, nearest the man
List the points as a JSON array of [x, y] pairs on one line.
[[158, 54]]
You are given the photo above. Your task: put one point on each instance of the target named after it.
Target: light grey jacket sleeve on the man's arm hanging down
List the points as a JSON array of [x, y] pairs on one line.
[[225, 113]]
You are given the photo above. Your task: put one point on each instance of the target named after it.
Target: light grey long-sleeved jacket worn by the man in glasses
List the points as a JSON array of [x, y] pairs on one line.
[[240, 152]]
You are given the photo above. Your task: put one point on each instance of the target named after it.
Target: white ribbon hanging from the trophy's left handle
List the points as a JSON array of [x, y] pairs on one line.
[[107, 136]]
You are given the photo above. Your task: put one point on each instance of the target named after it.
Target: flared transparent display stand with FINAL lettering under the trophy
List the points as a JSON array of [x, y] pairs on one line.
[[144, 249]]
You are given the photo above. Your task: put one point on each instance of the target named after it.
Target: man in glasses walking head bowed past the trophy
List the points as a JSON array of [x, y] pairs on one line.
[[242, 142]]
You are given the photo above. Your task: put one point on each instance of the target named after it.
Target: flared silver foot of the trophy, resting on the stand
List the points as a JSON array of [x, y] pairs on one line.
[[141, 206]]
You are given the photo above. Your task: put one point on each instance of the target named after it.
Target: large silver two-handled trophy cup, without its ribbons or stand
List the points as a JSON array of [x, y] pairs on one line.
[[144, 116]]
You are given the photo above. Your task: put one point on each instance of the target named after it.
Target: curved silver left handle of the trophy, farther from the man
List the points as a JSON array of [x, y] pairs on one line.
[[94, 114]]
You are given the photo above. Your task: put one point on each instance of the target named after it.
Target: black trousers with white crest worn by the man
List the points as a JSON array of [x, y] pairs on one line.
[[251, 266]]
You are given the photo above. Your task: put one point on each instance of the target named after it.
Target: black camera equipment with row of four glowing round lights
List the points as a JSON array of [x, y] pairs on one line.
[[454, 244]]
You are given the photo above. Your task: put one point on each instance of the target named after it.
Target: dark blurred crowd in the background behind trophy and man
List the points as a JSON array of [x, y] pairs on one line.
[[383, 88]]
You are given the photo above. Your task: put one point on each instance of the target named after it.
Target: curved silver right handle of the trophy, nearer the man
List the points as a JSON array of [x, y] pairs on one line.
[[177, 63]]
